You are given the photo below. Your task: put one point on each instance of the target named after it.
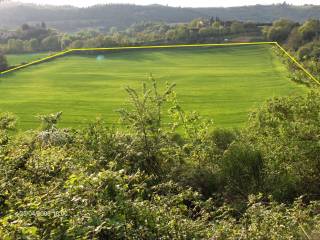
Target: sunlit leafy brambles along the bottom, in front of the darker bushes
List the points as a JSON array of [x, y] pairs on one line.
[[64, 192]]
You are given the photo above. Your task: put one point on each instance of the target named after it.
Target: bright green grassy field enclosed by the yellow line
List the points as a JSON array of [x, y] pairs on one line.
[[223, 83]]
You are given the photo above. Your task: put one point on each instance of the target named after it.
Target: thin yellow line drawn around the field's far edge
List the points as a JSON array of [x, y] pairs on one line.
[[164, 46]]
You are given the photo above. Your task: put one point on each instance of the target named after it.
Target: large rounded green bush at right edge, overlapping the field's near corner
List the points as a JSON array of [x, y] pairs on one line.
[[286, 131]]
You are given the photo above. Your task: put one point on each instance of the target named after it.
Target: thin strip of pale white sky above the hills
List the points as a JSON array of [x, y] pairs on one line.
[[182, 3]]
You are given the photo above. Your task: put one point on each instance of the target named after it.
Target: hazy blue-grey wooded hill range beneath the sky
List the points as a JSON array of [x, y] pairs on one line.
[[67, 18]]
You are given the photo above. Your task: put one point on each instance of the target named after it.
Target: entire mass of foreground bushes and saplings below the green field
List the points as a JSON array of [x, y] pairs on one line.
[[154, 180]]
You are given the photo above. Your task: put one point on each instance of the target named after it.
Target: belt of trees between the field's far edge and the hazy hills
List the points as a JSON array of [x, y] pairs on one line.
[[35, 38]]
